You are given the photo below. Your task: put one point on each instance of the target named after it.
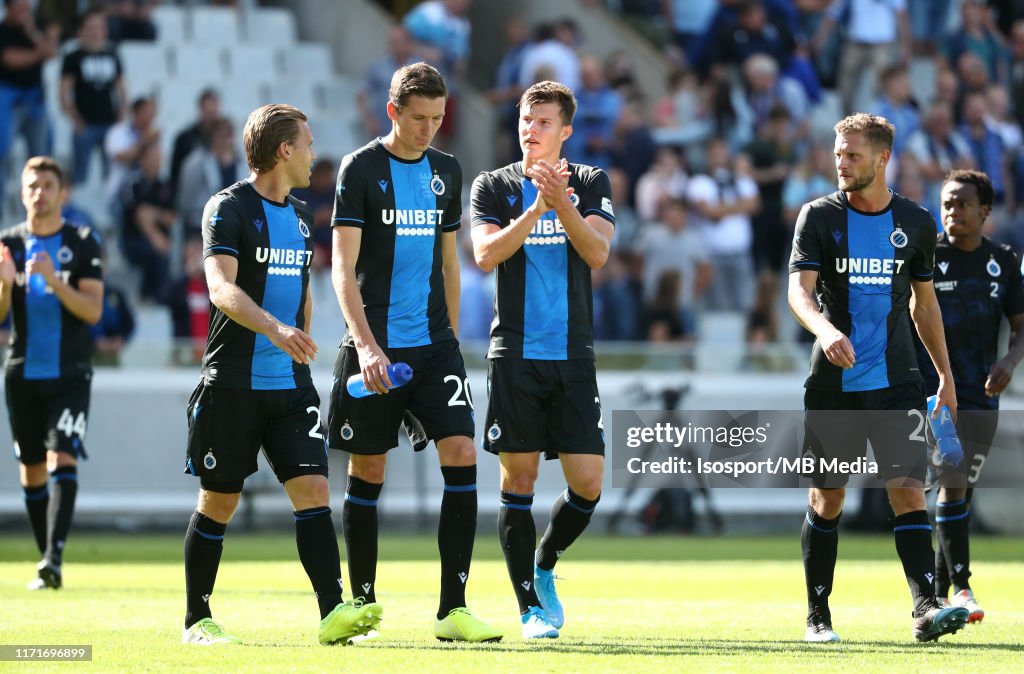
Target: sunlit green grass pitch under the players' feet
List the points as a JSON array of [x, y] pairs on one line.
[[632, 605]]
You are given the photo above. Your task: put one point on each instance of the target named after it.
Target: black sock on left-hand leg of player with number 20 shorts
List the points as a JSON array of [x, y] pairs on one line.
[[359, 518]]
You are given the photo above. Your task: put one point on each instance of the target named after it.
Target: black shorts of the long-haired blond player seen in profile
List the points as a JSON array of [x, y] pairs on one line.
[[228, 428]]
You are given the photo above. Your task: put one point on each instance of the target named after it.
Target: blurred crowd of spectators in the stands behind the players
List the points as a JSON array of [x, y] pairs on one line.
[[708, 174]]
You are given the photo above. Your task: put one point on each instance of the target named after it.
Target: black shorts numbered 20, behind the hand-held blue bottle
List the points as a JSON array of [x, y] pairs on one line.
[[436, 405]]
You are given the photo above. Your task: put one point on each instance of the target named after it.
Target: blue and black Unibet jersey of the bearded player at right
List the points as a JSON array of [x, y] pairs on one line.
[[866, 264]]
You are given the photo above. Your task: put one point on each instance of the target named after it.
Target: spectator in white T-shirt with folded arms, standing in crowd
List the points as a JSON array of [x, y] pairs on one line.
[[723, 200]]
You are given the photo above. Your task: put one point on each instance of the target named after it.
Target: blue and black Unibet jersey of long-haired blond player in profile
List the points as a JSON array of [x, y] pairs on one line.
[[274, 247]]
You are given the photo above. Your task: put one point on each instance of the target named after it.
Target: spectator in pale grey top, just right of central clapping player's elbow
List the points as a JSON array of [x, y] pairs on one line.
[[671, 246]]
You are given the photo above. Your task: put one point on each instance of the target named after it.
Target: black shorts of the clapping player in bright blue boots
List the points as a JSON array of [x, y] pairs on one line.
[[544, 406]]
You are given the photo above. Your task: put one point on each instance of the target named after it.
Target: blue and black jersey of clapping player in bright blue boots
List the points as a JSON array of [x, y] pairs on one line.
[[544, 304]]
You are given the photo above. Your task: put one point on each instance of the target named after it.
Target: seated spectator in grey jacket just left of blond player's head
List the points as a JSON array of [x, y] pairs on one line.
[[207, 172]]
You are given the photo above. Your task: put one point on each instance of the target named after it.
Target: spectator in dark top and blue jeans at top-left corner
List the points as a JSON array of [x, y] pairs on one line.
[[24, 50]]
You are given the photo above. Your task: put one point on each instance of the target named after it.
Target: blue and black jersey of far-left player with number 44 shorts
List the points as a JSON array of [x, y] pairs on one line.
[[47, 341]]
